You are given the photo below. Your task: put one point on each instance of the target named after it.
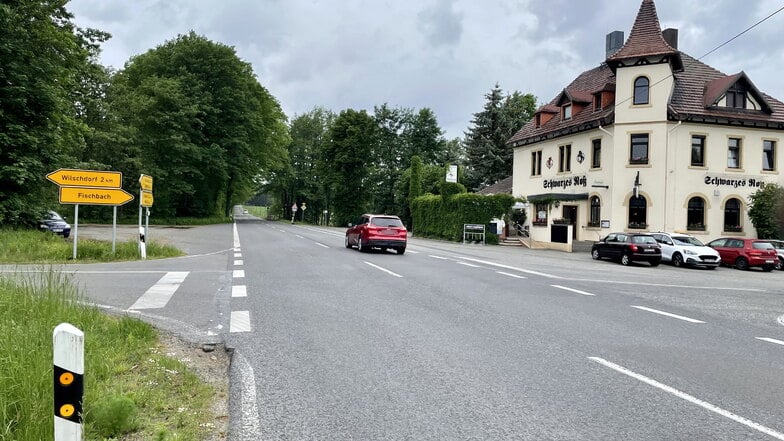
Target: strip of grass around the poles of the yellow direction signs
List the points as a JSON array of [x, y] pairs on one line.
[[32, 246]]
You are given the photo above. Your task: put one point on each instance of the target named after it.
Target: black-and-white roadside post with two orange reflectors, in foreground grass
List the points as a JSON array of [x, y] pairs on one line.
[[68, 360]]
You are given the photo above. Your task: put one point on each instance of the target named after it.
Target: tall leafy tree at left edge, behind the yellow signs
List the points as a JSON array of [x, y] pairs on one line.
[[44, 58]]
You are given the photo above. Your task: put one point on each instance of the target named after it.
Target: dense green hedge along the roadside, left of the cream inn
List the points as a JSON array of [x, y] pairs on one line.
[[443, 217]]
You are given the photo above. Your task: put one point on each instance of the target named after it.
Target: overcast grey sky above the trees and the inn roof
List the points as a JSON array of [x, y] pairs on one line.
[[441, 54]]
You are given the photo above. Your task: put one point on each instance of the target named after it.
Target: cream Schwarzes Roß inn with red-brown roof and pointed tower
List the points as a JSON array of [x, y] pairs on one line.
[[650, 140]]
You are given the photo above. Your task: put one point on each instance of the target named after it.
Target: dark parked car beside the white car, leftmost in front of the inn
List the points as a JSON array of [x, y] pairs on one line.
[[628, 248]]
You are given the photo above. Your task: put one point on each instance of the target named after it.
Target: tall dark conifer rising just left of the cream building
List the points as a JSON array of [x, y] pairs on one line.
[[489, 158]]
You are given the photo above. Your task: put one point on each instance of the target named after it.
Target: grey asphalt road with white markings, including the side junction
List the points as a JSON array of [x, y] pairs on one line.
[[453, 341]]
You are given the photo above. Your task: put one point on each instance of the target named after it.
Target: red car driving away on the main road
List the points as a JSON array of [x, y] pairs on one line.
[[377, 231]]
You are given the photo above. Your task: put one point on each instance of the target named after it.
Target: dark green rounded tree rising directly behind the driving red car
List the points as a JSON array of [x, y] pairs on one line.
[[344, 162]]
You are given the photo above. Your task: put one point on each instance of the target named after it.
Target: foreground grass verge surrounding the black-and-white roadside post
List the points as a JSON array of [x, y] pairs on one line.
[[126, 372]]
